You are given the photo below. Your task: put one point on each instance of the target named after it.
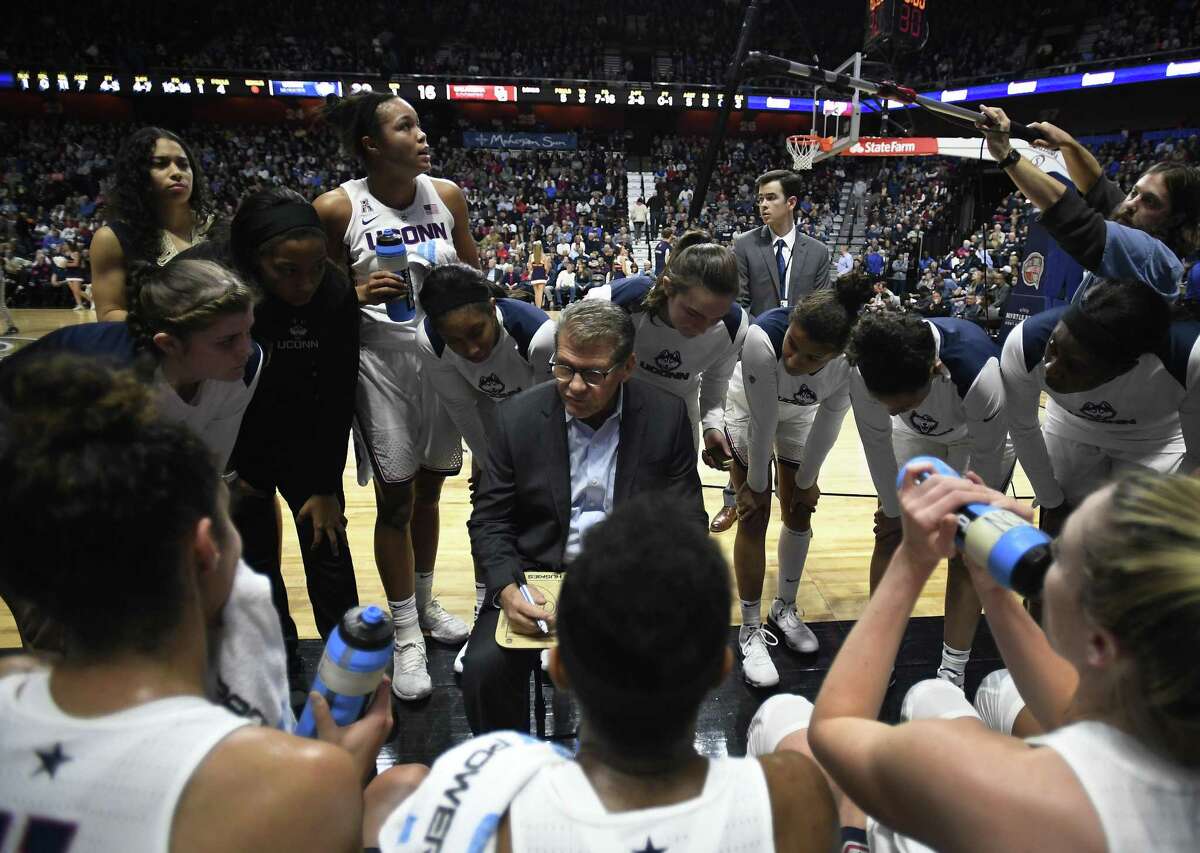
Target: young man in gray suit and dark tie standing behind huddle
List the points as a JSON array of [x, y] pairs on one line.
[[779, 247]]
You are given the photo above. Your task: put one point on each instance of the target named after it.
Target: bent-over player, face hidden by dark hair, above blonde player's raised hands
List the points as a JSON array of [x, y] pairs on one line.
[[929, 388]]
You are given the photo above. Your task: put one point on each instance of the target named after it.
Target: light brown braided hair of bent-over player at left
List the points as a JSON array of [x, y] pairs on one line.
[[185, 297]]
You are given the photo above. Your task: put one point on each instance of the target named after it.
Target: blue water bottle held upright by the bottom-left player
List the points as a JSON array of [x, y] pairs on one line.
[[351, 669]]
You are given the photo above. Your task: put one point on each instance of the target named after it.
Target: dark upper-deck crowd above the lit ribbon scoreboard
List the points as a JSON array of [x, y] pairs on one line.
[[549, 39]]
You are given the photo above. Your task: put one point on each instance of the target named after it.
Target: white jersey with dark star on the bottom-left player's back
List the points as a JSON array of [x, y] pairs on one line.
[[98, 784]]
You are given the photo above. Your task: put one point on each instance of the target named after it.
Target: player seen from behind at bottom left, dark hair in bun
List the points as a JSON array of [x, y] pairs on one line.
[[116, 748]]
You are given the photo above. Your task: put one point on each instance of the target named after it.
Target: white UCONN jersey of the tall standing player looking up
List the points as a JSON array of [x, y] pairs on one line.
[[428, 229]]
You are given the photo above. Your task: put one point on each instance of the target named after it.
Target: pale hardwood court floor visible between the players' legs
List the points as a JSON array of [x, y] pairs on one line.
[[835, 586]]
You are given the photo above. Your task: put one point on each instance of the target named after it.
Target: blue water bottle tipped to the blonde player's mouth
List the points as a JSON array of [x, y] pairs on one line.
[[1016, 552]]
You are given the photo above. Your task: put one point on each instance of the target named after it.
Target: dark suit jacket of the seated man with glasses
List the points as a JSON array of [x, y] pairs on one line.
[[523, 509]]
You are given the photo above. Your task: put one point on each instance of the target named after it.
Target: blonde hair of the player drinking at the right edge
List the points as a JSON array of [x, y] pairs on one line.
[[1142, 569]]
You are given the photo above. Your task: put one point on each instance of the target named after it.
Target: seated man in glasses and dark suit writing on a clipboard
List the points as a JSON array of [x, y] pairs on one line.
[[562, 456]]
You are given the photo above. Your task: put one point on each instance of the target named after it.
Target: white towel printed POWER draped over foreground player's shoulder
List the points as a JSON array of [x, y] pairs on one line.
[[460, 804]]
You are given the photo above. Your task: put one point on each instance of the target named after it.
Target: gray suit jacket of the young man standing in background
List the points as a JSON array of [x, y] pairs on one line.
[[759, 274]]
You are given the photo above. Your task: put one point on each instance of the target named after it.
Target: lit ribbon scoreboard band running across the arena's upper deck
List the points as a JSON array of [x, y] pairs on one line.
[[593, 94]]
